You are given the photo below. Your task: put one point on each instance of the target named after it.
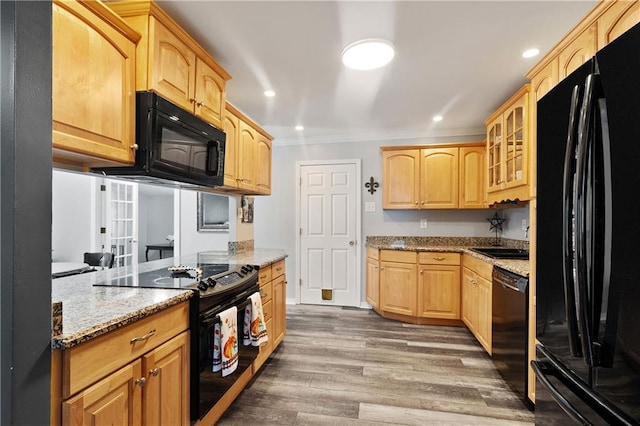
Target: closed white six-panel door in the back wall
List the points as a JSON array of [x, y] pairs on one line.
[[329, 233]]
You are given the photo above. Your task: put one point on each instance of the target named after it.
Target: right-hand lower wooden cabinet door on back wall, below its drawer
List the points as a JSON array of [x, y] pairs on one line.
[[439, 291]]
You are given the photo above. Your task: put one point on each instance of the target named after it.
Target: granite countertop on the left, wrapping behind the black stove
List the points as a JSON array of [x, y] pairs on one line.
[[89, 311]]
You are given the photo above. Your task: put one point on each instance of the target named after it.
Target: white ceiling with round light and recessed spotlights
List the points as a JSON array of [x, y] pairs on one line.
[[460, 59]]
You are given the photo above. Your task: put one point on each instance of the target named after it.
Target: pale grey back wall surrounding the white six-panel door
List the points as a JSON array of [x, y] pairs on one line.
[[275, 216]]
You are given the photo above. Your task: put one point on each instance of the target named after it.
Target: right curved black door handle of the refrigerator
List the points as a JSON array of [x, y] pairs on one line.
[[583, 241]]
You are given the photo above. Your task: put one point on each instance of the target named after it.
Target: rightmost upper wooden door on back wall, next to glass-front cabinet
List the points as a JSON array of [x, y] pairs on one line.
[[472, 170]]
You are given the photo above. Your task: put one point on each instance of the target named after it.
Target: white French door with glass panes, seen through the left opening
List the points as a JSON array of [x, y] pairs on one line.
[[122, 221]]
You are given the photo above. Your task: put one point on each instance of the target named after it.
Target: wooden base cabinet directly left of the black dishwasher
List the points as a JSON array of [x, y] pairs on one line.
[[476, 299]]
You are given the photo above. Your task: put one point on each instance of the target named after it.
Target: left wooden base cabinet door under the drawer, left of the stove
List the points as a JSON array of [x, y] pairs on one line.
[[114, 400]]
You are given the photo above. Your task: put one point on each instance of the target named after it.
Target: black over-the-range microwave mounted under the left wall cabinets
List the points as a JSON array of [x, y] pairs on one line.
[[175, 147]]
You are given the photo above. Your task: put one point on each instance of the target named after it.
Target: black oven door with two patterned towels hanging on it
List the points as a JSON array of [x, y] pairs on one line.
[[212, 386]]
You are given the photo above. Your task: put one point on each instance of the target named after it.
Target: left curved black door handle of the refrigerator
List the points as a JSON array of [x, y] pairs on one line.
[[568, 223]]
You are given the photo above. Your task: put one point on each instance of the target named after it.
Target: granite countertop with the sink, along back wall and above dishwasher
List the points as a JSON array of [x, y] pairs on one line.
[[454, 244]]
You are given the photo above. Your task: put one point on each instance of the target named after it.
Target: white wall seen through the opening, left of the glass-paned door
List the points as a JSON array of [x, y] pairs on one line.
[[72, 216]]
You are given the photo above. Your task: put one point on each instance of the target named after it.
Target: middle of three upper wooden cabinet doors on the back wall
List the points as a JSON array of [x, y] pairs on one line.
[[439, 178]]
